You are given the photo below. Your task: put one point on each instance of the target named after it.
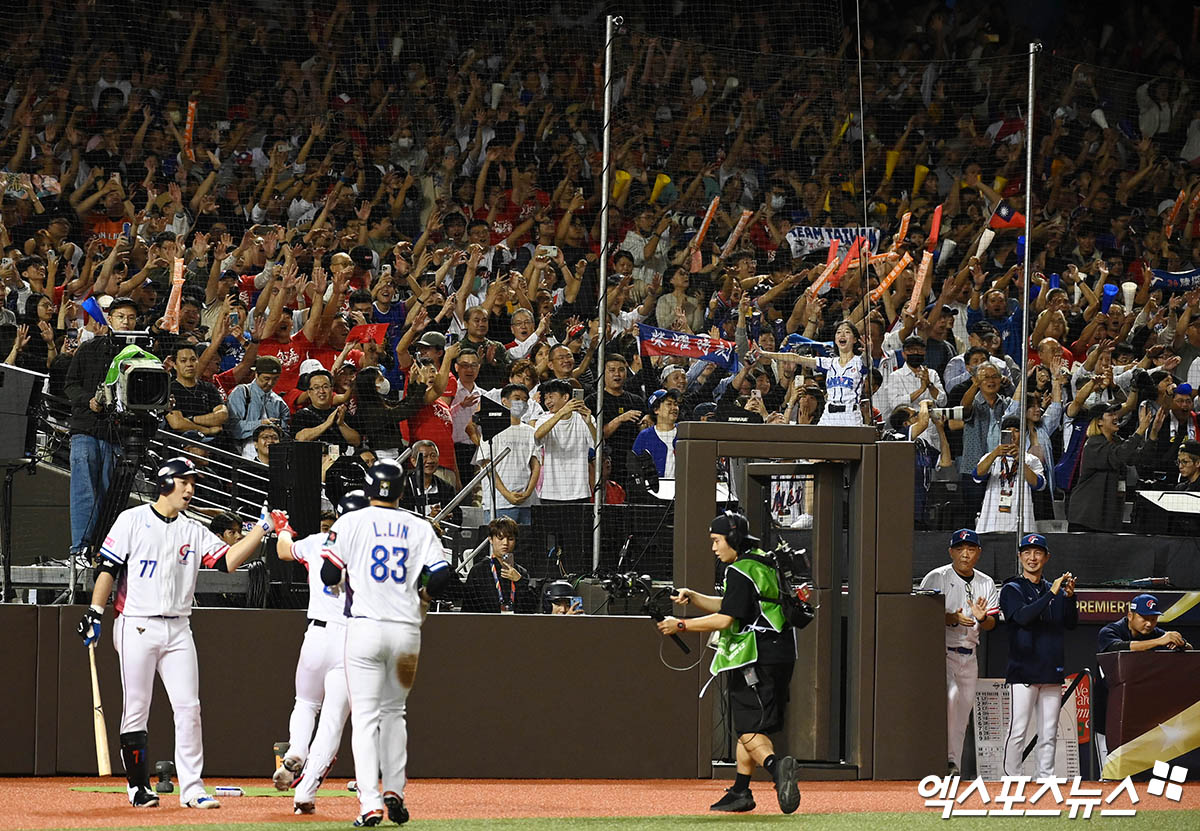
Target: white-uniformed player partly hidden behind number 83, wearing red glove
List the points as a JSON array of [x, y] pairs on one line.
[[321, 672]]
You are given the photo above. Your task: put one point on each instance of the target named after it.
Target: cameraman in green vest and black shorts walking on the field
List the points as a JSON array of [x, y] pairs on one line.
[[757, 648]]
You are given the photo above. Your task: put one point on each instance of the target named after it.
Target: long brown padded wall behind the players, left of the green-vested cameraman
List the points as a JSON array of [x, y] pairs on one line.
[[513, 697]]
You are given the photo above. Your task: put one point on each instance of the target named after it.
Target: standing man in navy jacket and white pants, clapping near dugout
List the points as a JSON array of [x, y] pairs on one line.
[[1037, 612]]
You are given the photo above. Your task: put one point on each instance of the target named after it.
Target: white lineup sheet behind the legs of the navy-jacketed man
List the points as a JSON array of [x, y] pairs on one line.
[[992, 714]]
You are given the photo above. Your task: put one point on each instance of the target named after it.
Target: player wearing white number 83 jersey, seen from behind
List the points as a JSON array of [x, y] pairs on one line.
[[393, 565]]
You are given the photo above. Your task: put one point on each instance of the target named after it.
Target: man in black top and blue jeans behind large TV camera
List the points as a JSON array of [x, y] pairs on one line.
[[94, 433]]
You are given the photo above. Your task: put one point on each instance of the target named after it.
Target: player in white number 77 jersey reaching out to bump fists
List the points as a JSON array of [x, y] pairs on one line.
[[153, 555]]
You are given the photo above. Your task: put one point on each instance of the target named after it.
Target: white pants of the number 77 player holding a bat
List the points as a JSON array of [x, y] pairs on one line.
[[147, 645]]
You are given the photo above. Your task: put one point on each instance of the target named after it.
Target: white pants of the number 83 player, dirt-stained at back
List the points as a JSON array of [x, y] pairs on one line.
[[381, 665]]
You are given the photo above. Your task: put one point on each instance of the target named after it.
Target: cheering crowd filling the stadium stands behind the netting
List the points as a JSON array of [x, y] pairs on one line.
[[379, 236]]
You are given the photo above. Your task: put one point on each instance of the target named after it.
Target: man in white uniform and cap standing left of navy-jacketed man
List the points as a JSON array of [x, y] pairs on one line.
[[973, 603]]
